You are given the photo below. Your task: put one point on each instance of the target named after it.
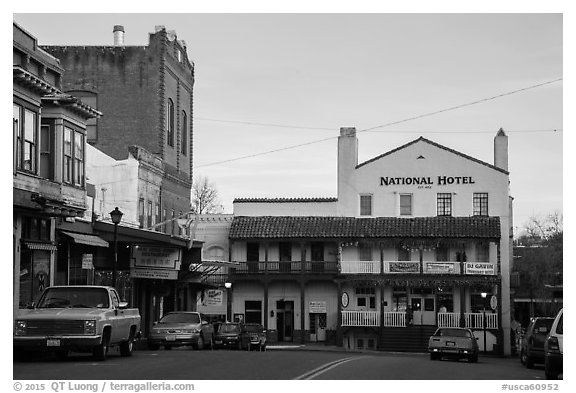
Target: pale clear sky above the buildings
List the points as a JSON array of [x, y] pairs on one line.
[[268, 82]]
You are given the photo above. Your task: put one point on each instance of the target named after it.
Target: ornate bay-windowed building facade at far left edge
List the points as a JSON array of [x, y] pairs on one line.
[[49, 185]]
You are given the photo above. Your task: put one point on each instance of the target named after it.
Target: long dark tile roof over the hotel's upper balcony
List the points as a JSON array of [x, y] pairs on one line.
[[286, 227]]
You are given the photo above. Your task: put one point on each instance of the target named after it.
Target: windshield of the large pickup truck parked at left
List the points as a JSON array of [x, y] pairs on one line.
[[73, 297]]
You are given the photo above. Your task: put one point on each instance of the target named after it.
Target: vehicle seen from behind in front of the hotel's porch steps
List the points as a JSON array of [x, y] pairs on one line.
[[453, 342]]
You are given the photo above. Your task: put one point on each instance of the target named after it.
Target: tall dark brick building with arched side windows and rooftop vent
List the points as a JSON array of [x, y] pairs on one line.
[[146, 93]]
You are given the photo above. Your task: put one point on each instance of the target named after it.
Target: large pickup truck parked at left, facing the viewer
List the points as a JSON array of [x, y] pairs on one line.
[[77, 318]]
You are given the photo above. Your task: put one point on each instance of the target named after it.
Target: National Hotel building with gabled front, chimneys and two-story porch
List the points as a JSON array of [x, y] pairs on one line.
[[418, 237]]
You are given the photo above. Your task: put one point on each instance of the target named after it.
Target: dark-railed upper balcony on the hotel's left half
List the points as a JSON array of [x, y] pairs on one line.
[[289, 267]]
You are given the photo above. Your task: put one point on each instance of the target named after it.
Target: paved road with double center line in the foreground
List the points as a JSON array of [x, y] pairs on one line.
[[186, 364]]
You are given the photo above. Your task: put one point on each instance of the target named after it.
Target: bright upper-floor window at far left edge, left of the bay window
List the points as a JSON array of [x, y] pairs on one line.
[[25, 123]]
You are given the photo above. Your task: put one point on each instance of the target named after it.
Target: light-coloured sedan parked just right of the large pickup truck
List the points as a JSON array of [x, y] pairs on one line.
[[181, 328]]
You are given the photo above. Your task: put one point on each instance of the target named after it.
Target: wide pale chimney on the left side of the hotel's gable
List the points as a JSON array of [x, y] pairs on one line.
[[347, 162]]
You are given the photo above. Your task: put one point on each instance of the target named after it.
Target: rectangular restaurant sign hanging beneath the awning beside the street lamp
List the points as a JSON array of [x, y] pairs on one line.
[[155, 262]]
